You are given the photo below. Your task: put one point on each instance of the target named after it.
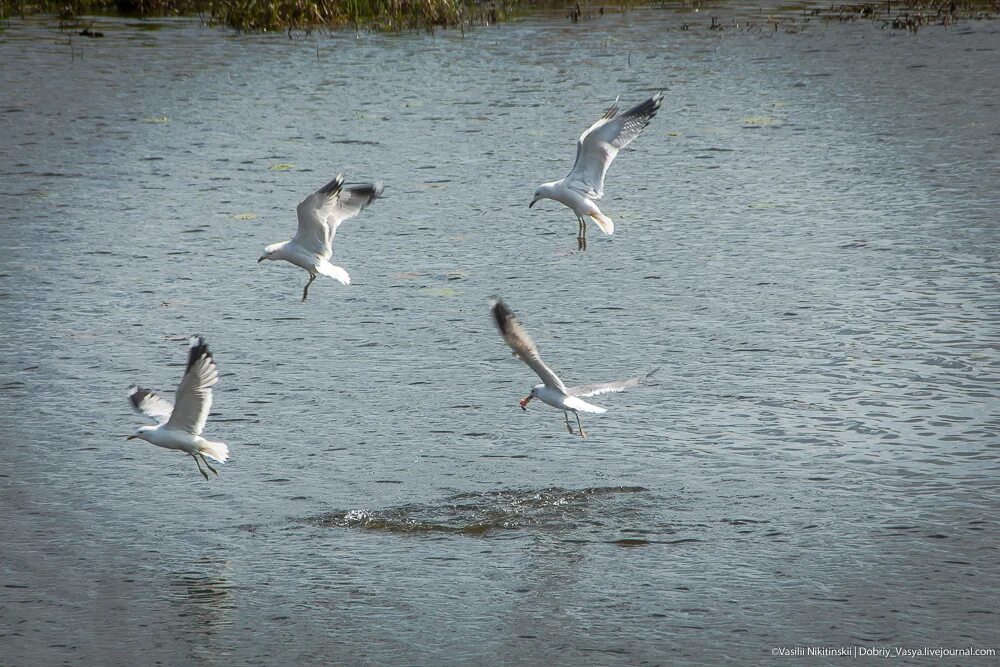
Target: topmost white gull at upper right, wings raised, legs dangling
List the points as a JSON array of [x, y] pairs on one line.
[[595, 150]]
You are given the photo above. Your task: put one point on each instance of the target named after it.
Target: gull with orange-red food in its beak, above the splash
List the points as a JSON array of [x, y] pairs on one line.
[[552, 390]]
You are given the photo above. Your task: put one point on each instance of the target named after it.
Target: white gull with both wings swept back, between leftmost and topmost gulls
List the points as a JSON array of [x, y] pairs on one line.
[[319, 216]]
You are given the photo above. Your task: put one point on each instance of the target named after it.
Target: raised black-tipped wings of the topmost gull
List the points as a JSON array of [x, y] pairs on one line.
[[600, 144]]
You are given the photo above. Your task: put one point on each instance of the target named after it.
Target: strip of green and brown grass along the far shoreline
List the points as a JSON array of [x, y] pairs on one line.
[[396, 15]]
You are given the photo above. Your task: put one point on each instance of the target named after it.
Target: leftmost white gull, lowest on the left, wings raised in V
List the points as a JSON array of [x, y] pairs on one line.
[[180, 427]]
